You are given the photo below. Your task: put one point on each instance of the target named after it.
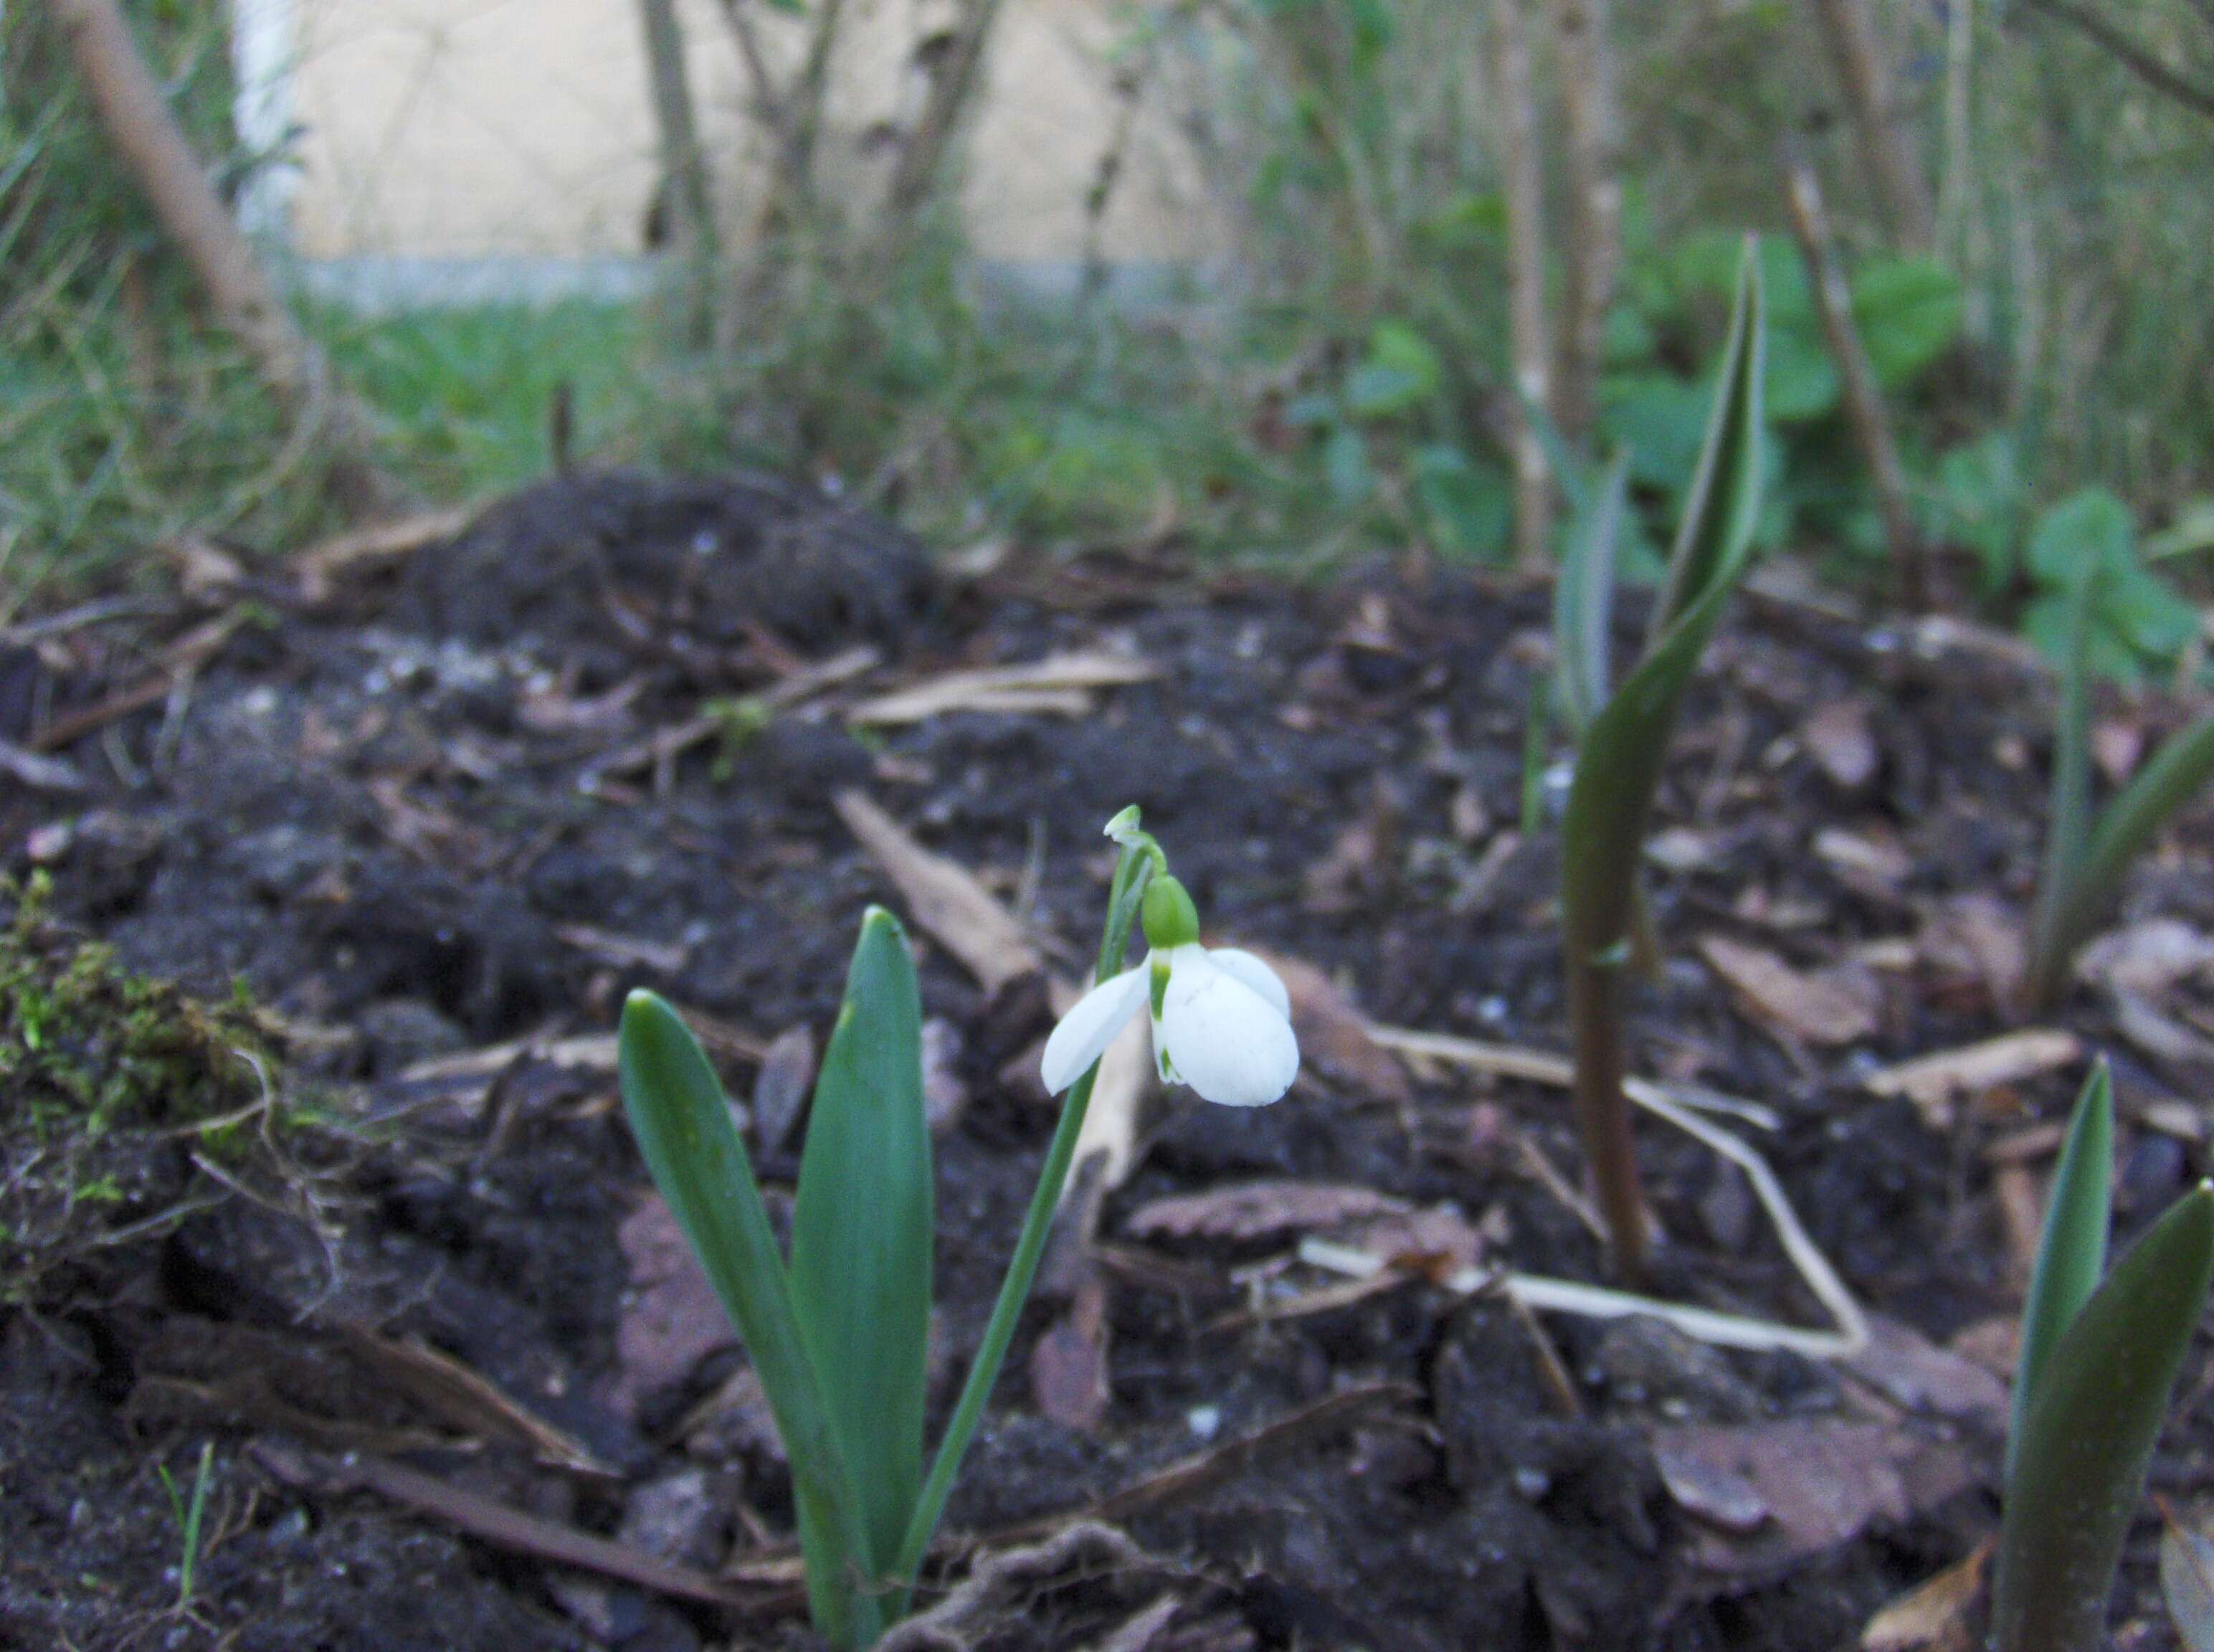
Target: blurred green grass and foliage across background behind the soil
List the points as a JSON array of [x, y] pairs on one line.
[[1336, 389]]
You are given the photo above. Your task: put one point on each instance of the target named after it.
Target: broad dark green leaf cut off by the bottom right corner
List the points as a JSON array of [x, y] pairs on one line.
[[2089, 1436]]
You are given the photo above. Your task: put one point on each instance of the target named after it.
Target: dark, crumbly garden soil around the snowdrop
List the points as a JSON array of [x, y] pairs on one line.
[[411, 820]]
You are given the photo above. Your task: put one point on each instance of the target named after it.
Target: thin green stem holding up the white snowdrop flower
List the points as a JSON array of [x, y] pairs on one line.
[[1141, 860]]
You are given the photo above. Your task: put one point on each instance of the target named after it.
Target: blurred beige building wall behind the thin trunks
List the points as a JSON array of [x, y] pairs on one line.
[[524, 127]]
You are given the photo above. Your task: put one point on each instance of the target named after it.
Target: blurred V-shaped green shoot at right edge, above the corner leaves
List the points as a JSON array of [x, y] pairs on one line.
[[2087, 860]]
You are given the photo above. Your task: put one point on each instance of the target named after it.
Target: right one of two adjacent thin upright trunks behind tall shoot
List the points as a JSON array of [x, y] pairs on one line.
[[1595, 216]]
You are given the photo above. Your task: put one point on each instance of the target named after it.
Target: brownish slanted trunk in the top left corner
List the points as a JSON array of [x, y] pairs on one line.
[[154, 147]]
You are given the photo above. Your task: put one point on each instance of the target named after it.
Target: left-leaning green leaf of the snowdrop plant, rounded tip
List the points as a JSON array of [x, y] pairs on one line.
[[692, 1148]]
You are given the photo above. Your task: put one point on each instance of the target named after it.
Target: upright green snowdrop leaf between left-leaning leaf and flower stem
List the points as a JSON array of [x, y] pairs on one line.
[[862, 1235]]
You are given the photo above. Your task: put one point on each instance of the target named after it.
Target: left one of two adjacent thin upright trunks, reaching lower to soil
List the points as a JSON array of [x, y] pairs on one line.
[[1531, 340]]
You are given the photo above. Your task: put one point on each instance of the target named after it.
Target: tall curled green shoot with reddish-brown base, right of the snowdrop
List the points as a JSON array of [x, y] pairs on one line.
[[1622, 752]]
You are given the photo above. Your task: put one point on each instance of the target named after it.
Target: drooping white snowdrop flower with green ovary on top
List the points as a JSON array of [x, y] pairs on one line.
[[1221, 1018]]
